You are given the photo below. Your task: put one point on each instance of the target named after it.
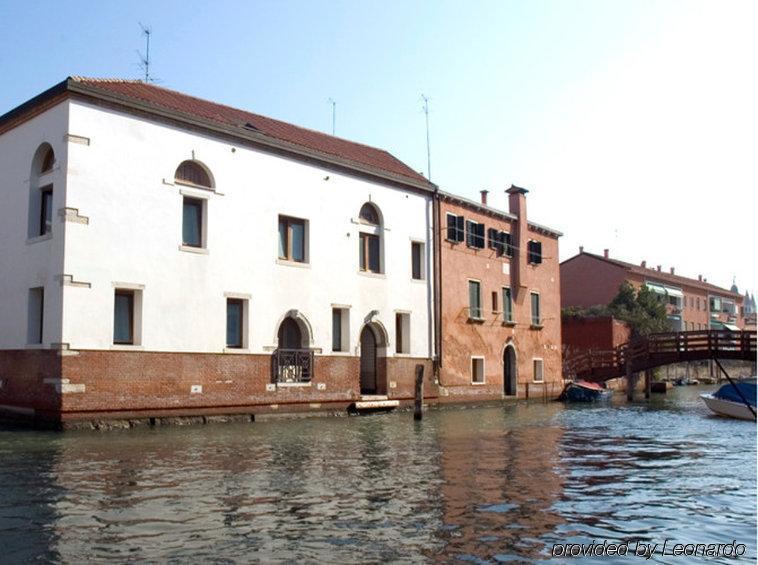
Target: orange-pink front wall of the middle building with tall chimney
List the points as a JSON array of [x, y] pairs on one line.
[[464, 337]]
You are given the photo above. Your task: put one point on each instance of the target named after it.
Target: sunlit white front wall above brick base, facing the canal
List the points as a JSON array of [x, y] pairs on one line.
[[123, 181]]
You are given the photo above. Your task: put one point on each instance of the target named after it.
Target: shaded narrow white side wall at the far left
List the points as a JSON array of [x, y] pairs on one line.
[[30, 262]]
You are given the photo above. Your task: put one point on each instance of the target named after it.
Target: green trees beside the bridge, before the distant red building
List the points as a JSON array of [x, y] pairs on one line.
[[641, 309]]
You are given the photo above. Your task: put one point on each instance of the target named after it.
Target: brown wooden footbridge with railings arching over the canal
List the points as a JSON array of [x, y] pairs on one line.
[[656, 350]]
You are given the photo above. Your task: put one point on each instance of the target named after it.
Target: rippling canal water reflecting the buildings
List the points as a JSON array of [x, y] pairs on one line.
[[501, 482]]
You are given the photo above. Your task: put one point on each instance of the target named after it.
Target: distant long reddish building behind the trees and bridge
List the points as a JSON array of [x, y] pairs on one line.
[[692, 304]]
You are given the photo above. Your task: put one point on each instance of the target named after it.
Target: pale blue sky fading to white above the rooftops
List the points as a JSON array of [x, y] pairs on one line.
[[634, 124]]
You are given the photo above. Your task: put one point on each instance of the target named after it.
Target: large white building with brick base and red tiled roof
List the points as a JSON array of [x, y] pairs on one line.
[[167, 254]]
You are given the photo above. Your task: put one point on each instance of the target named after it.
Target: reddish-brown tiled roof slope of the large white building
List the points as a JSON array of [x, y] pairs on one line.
[[283, 131]]
